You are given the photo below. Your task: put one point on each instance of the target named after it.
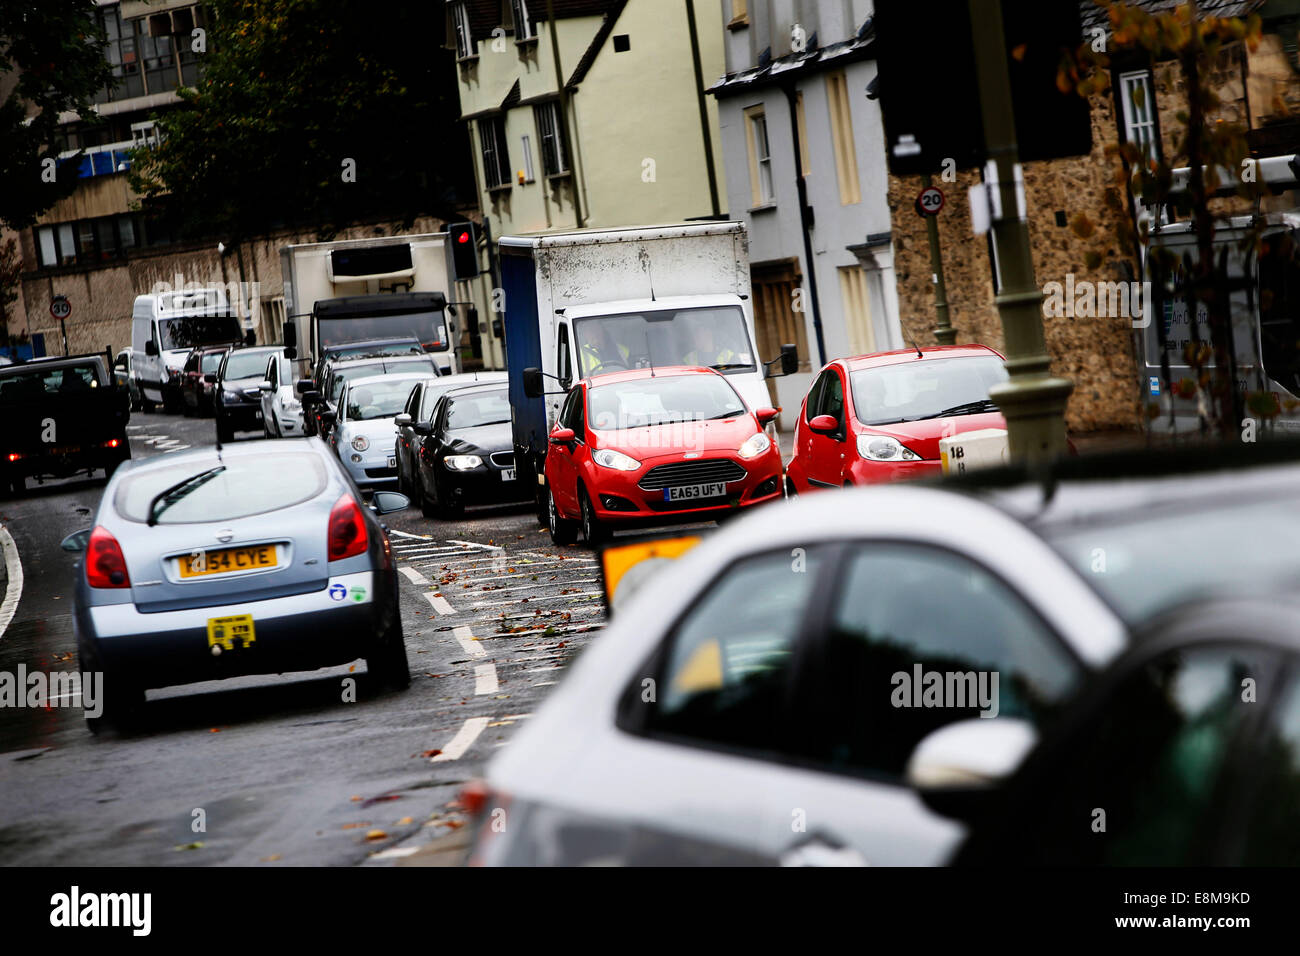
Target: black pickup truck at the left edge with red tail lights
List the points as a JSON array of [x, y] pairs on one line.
[[62, 417]]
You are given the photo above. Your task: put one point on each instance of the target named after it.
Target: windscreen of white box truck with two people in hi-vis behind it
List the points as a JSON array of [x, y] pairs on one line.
[[714, 338]]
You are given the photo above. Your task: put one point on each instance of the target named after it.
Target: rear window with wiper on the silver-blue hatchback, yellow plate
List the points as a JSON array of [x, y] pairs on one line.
[[250, 486]]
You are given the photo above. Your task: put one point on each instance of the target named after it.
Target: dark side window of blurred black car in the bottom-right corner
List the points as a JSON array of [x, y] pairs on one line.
[[1139, 782]]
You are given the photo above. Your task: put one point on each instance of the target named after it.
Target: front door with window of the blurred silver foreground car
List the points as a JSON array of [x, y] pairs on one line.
[[896, 615]]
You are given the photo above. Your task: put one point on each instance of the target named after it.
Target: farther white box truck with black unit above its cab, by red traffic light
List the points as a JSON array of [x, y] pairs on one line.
[[359, 291]]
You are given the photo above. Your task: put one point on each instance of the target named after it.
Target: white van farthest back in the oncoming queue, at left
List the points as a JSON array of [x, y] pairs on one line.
[[166, 327]]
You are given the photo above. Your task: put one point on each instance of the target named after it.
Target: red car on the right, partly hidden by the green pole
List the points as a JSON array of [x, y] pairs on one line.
[[879, 418]]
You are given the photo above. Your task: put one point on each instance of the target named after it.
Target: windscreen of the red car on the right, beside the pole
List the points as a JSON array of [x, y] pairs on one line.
[[916, 391]]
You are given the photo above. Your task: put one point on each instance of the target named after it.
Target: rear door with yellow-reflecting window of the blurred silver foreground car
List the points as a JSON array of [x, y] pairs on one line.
[[704, 721]]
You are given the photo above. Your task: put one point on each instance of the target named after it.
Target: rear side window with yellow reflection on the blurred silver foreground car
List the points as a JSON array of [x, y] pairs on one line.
[[726, 667]]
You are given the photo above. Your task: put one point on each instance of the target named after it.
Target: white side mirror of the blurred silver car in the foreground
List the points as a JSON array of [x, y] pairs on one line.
[[957, 768]]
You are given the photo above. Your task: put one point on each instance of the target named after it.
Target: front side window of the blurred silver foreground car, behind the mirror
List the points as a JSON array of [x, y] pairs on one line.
[[920, 638]]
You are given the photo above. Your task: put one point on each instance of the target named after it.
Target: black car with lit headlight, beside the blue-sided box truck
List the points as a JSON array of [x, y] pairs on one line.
[[467, 455]]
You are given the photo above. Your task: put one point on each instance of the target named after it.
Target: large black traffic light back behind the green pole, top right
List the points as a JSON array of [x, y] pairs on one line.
[[929, 89]]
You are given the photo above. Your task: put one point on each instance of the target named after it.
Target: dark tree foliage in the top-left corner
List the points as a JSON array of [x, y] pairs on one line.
[[51, 62]]
